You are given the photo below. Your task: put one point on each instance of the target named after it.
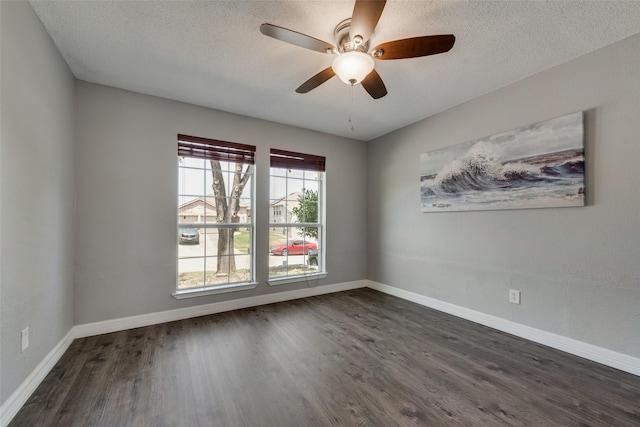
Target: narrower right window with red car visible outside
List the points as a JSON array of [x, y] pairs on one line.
[[296, 233]]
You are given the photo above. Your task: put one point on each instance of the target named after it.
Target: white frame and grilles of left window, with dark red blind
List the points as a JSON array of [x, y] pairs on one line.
[[231, 153]]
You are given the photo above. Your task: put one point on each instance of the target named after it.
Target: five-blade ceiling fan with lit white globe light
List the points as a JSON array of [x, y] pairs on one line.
[[354, 62]]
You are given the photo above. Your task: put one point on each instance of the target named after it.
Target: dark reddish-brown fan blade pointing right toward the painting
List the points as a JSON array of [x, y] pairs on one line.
[[414, 47]]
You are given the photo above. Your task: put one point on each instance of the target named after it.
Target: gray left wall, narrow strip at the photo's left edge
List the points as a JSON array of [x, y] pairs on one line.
[[36, 194]]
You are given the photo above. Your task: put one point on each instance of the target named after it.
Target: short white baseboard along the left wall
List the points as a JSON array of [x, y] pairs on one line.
[[12, 405]]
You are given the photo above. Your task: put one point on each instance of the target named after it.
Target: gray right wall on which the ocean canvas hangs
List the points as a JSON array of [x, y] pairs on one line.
[[578, 268]]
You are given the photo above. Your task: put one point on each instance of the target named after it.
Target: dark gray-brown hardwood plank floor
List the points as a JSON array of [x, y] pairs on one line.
[[355, 358]]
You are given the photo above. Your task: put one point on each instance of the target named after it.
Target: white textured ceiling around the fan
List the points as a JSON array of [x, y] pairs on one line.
[[211, 53]]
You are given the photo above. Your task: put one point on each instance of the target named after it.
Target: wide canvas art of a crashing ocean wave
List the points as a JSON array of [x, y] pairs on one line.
[[535, 166]]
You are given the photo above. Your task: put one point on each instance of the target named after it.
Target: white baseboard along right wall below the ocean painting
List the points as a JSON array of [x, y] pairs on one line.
[[588, 351]]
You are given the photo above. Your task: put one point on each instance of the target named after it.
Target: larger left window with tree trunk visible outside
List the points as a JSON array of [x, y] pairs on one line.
[[215, 216]]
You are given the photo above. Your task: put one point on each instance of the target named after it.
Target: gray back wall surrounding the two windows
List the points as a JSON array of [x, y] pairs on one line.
[[126, 199]]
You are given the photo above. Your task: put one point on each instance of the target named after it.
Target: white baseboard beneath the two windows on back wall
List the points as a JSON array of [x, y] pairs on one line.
[[115, 325]]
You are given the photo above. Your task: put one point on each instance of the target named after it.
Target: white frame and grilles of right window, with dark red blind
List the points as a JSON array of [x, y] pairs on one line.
[[282, 159]]
